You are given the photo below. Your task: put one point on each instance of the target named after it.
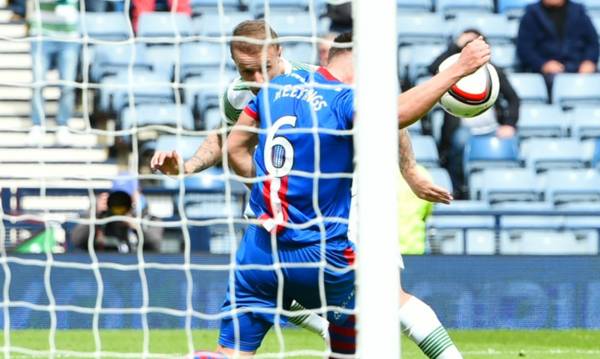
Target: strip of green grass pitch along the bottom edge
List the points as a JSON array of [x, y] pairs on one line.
[[496, 344]]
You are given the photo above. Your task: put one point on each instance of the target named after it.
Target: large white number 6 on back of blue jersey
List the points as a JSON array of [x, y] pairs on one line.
[[279, 152]]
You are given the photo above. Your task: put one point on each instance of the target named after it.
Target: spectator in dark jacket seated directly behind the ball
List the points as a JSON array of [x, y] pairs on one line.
[[456, 132]]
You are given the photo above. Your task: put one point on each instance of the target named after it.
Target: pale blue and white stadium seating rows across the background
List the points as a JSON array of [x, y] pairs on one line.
[[551, 165]]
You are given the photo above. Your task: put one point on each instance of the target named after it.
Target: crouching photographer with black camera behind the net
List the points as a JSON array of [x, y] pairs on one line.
[[124, 199]]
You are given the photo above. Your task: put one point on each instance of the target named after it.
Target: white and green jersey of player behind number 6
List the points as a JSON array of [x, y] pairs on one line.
[[238, 94]]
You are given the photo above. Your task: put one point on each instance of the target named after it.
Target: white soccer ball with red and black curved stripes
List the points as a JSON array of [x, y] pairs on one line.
[[473, 94]]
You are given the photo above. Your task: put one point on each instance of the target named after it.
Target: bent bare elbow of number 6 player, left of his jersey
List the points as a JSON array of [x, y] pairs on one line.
[[240, 146]]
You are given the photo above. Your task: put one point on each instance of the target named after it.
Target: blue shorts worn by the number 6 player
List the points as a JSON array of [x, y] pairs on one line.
[[257, 289]]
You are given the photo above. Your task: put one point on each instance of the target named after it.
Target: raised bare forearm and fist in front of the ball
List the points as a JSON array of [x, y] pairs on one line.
[[416, 102]]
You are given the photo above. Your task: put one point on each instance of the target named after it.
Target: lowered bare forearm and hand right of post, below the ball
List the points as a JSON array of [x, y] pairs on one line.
[[419, 184]]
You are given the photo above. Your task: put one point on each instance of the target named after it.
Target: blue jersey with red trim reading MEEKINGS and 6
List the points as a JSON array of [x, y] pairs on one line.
[[294, 193]]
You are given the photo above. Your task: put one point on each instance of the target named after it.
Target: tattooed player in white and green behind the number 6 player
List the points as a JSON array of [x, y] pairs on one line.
[[249, 59]]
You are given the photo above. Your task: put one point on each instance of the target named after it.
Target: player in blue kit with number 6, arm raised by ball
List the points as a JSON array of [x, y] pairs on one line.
[[296, 224]]
